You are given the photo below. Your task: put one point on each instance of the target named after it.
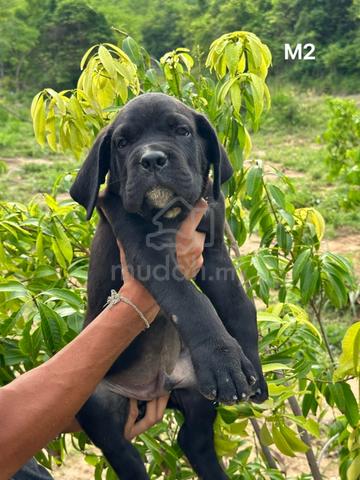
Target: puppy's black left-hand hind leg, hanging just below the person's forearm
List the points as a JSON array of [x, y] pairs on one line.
[[103, 418]]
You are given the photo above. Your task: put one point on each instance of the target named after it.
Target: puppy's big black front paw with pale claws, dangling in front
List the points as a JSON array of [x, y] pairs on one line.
[[223, 372]]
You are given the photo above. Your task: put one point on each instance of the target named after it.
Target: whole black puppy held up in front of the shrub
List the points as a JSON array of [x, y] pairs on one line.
[[202, 346]]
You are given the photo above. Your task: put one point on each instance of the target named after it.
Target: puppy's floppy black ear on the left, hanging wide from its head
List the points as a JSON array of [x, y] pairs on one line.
[[92, 174]]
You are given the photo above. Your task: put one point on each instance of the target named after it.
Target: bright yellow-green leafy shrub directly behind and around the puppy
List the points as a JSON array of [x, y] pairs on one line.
[[44, 252]]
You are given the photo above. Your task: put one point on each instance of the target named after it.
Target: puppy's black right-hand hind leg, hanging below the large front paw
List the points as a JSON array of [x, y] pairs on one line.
[[196, 436]]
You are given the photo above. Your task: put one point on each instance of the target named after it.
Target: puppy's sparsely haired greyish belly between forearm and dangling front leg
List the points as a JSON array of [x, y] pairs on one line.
[[159, 363]]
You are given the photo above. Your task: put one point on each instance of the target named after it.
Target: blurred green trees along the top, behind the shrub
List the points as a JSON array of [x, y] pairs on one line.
[[42, 40]]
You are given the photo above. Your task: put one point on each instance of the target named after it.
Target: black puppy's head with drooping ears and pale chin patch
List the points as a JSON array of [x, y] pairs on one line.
[[158, 153]]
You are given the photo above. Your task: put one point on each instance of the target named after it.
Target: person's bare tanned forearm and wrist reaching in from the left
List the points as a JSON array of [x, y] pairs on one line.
[[64, 383]]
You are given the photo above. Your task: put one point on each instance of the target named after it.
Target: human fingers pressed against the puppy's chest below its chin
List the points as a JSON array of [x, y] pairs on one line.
[[190, 243]]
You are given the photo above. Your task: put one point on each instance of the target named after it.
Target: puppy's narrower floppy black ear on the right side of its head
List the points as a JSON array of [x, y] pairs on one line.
[[215, 154]]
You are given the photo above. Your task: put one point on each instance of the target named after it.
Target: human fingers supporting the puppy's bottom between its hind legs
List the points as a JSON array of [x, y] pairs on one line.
[[154, 412]]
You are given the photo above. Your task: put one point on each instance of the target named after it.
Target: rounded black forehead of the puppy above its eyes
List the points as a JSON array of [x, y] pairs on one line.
[[154, 110]]
